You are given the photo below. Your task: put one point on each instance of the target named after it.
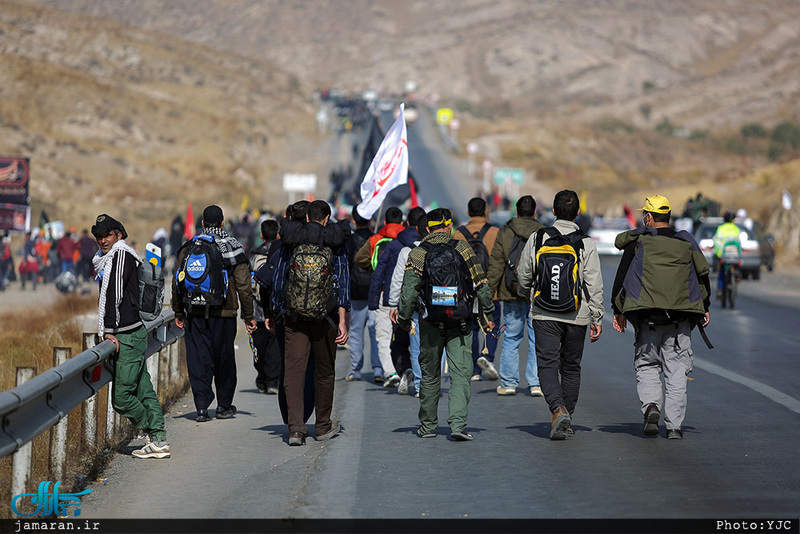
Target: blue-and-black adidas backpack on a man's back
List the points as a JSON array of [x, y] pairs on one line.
[[202, 277]]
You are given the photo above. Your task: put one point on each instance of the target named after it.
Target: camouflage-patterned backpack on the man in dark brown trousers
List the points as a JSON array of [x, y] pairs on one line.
[[310, 283]]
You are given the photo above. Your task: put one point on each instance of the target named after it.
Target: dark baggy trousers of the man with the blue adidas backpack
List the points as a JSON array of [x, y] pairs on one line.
[[210, 357]]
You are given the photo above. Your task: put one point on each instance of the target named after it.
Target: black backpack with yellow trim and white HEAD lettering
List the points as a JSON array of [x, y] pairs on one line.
[[558, 284]]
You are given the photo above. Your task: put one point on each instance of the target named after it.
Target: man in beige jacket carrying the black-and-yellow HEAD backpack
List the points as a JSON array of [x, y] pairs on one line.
[[560, 270]]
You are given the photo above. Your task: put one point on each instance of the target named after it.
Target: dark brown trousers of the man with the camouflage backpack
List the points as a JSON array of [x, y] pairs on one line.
[[301, 338]]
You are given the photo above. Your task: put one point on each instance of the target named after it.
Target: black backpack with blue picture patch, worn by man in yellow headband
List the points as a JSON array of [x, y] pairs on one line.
[[448, 292]]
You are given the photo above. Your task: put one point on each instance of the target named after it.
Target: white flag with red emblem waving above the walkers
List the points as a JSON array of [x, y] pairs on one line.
[[388, 170]]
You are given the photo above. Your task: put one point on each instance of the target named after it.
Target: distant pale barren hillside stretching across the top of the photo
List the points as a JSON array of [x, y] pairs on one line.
[[703, 63]]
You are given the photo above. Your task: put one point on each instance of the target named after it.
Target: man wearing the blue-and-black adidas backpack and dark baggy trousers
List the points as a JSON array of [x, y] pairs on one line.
[[212, 279]]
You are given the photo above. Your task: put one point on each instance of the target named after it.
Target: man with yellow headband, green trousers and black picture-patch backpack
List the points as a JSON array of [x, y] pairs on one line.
[[446, 274]]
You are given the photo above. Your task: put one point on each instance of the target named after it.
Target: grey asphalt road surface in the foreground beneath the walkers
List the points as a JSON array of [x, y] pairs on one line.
[[737, 458]]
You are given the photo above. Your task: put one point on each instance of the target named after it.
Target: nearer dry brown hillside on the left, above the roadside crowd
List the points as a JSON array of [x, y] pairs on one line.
[[117, 118]]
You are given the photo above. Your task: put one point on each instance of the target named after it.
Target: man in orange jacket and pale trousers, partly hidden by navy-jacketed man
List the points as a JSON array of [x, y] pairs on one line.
[[367, 257]]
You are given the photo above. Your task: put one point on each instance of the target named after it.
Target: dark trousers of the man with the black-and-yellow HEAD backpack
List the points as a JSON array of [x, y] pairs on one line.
[[559, 349]]
